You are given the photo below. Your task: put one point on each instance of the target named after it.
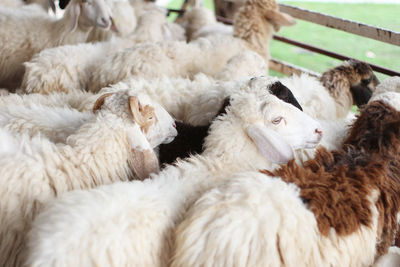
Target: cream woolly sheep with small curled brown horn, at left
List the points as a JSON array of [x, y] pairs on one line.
[[116, 144]]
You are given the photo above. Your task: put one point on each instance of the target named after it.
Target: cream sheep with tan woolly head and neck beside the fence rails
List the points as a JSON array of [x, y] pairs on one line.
[[207, 55]]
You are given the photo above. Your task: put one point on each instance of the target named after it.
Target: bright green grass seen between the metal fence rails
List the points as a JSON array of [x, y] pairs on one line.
[[382, 15]]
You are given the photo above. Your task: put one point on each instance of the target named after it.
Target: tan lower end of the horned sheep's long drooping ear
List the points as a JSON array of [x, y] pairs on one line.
[[144, 162]]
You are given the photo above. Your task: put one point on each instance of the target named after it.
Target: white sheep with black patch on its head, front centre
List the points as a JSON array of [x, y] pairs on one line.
[[143, 214]]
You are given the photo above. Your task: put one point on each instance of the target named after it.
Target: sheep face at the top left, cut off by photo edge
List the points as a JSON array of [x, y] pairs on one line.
[[89, 13]]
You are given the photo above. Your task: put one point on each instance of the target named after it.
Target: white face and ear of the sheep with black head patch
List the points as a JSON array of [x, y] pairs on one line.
[[274, 126]]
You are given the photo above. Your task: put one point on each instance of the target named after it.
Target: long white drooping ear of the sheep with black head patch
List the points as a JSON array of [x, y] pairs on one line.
[[270, 144]]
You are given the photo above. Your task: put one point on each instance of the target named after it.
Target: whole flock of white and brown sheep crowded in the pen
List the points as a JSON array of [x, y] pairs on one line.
[[129, 140]]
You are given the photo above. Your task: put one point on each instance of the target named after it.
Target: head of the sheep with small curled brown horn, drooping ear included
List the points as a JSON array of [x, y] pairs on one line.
[[147, 125]]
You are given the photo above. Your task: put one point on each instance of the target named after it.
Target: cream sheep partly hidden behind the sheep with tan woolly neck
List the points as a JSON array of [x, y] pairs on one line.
[[68, 68]]
